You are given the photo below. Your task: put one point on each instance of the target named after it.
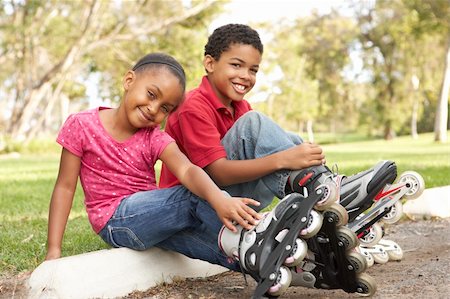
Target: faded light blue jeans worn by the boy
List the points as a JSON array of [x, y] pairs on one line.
[[254, 135]]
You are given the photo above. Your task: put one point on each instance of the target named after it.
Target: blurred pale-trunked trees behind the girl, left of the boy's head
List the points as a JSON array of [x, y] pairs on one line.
[[48, 48]]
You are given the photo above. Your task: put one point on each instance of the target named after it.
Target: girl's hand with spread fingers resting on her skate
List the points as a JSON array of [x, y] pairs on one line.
[[236, 209]]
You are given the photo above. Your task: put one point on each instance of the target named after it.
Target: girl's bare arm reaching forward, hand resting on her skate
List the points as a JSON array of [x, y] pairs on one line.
[[196, 180]]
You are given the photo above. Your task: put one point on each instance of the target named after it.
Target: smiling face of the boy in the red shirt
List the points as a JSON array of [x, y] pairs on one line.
[[233, 75]]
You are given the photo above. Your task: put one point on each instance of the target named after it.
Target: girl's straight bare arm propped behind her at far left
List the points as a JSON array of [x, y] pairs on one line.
[[61, 202]]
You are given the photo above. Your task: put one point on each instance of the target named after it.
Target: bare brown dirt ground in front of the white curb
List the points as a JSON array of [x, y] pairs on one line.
[[424, 272]]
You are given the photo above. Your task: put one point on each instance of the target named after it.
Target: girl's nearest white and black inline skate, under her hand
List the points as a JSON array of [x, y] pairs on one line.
[[273, 245]]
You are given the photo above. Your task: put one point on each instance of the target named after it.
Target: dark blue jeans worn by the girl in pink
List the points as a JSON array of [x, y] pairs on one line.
[[173, 219]]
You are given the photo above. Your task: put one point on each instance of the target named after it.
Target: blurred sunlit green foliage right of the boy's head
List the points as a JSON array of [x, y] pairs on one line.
[[354, 73]]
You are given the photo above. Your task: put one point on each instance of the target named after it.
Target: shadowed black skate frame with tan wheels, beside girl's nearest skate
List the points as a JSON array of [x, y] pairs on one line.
[[331, 261]]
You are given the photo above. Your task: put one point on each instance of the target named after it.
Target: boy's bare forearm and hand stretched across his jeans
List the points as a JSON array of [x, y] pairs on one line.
[[228, 172]]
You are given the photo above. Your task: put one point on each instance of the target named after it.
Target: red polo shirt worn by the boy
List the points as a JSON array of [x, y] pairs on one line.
[[198, 126]]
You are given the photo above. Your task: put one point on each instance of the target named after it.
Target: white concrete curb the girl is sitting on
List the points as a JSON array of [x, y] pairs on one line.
[[112, 273]]
